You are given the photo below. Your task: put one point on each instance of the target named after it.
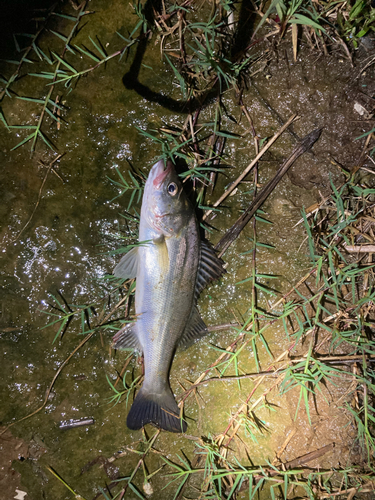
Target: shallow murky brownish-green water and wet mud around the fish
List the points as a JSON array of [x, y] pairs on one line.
[[65, 249]]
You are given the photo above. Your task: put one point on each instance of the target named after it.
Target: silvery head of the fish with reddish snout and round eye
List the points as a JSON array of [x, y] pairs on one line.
[[165, 205]]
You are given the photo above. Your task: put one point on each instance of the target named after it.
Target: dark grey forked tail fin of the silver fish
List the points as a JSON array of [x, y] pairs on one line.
[[158, 409]]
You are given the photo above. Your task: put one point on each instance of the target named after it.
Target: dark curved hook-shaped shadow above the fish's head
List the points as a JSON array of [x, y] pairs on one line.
[[241, 41]]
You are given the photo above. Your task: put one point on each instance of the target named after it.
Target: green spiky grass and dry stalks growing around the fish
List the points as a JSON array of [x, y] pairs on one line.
[[327, 317]]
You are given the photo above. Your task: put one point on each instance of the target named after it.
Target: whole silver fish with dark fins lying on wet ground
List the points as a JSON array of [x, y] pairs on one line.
[[172, 265]]
